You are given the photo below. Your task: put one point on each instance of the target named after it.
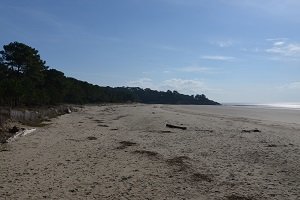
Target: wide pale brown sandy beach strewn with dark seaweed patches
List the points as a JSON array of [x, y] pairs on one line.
[[127, 152]]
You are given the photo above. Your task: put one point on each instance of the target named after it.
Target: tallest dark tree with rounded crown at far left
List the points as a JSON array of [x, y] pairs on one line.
[[24, 69]]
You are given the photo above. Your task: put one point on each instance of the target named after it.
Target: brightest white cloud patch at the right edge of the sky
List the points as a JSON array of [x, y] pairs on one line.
[[285, 49]]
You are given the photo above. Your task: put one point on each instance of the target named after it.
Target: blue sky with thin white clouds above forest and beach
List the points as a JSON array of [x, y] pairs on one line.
[[230, 50]]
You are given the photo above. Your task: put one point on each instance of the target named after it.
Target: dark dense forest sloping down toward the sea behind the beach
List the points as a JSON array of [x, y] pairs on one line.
[[25, 80]]
